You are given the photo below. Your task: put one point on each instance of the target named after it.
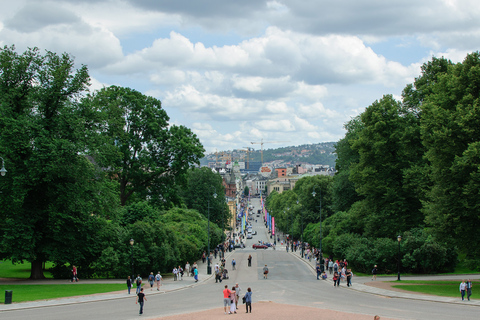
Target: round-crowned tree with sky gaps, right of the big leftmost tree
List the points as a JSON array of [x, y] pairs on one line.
[[149, 155]]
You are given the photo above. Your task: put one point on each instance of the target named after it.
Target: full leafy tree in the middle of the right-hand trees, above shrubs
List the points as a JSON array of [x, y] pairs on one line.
[[388, 145]]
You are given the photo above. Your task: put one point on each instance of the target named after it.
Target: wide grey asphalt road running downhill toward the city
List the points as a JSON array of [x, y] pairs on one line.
[[290, 281]]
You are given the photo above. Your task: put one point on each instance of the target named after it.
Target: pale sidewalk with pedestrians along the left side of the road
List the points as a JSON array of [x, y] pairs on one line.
[[168, 285]]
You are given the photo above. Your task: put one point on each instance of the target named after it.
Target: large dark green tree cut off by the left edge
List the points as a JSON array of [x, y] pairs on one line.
[[53, 196]]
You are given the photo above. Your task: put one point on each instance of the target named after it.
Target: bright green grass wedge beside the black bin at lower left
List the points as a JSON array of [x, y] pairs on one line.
[[23, 293]]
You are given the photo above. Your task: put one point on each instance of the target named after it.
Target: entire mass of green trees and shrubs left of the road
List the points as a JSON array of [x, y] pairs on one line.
[[88, 171]]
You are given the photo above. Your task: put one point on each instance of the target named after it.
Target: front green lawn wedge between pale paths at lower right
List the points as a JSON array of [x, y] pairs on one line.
[[438, 288]]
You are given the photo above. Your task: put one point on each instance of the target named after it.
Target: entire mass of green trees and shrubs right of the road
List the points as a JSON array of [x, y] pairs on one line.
[[408, 168]]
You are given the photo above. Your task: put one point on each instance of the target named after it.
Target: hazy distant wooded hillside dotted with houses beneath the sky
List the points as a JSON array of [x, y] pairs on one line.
[[319, 153]]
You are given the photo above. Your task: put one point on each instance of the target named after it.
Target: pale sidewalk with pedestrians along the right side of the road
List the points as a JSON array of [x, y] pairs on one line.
[[359, 285]]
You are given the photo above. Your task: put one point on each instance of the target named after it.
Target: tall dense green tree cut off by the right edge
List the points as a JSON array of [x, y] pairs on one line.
[[450, 132]]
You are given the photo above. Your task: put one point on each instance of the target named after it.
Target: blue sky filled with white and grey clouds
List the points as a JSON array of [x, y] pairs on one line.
[[282, 72]]
